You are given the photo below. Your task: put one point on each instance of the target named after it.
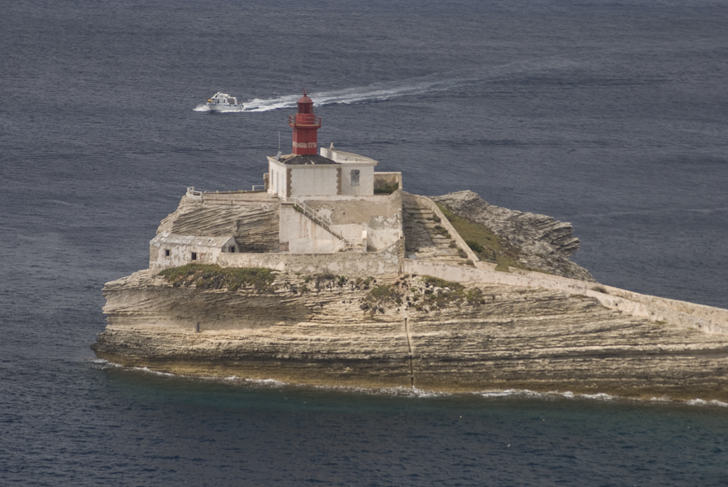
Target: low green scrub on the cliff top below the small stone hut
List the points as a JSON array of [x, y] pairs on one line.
[[212, 276]]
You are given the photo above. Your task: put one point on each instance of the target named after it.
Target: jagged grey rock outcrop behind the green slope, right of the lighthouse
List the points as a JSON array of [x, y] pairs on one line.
[[546, 244]]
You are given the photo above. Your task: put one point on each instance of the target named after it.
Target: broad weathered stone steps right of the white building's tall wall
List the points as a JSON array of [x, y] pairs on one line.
[[425, 238]]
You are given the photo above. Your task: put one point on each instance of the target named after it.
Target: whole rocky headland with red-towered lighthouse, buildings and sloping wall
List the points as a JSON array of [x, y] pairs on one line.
[[333, 275]]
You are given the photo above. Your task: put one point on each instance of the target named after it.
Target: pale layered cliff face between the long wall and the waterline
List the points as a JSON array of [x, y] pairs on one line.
[[327, 330]]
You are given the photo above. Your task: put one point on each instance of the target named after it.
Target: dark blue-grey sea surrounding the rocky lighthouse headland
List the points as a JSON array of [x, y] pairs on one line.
[[609, 114]]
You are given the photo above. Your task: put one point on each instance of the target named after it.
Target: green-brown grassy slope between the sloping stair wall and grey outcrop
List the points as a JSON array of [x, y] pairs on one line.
[[488, 246]]
